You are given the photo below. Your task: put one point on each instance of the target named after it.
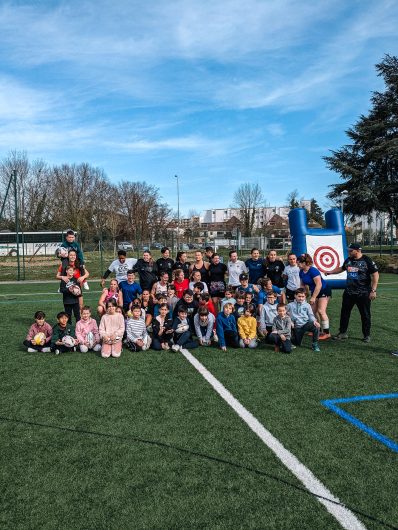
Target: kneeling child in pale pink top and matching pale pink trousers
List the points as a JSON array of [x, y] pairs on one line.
[[111, 330]]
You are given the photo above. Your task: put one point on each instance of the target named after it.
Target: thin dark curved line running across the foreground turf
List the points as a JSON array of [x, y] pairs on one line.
[[183, 450]]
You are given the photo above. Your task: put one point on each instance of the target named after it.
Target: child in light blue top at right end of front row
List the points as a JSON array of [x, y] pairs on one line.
[[303, 319]]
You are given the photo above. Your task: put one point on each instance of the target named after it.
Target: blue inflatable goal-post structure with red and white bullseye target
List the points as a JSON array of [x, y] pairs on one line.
[[327, 246]]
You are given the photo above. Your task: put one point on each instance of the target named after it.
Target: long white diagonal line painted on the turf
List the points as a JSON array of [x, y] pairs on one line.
[[333, 505]]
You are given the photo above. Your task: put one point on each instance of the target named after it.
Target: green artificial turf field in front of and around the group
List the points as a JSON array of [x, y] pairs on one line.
[[145, 442]]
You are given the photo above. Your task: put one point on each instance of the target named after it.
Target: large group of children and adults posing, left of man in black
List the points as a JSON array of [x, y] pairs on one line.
[[178, 305]]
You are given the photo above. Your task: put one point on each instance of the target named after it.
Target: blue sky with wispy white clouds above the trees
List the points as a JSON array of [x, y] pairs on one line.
[[219, 92]]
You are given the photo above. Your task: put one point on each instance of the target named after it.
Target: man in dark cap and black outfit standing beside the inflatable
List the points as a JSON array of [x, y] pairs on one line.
[[361, 286]]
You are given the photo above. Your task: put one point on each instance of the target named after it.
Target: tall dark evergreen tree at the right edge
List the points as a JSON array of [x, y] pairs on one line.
[[368, 165]]
